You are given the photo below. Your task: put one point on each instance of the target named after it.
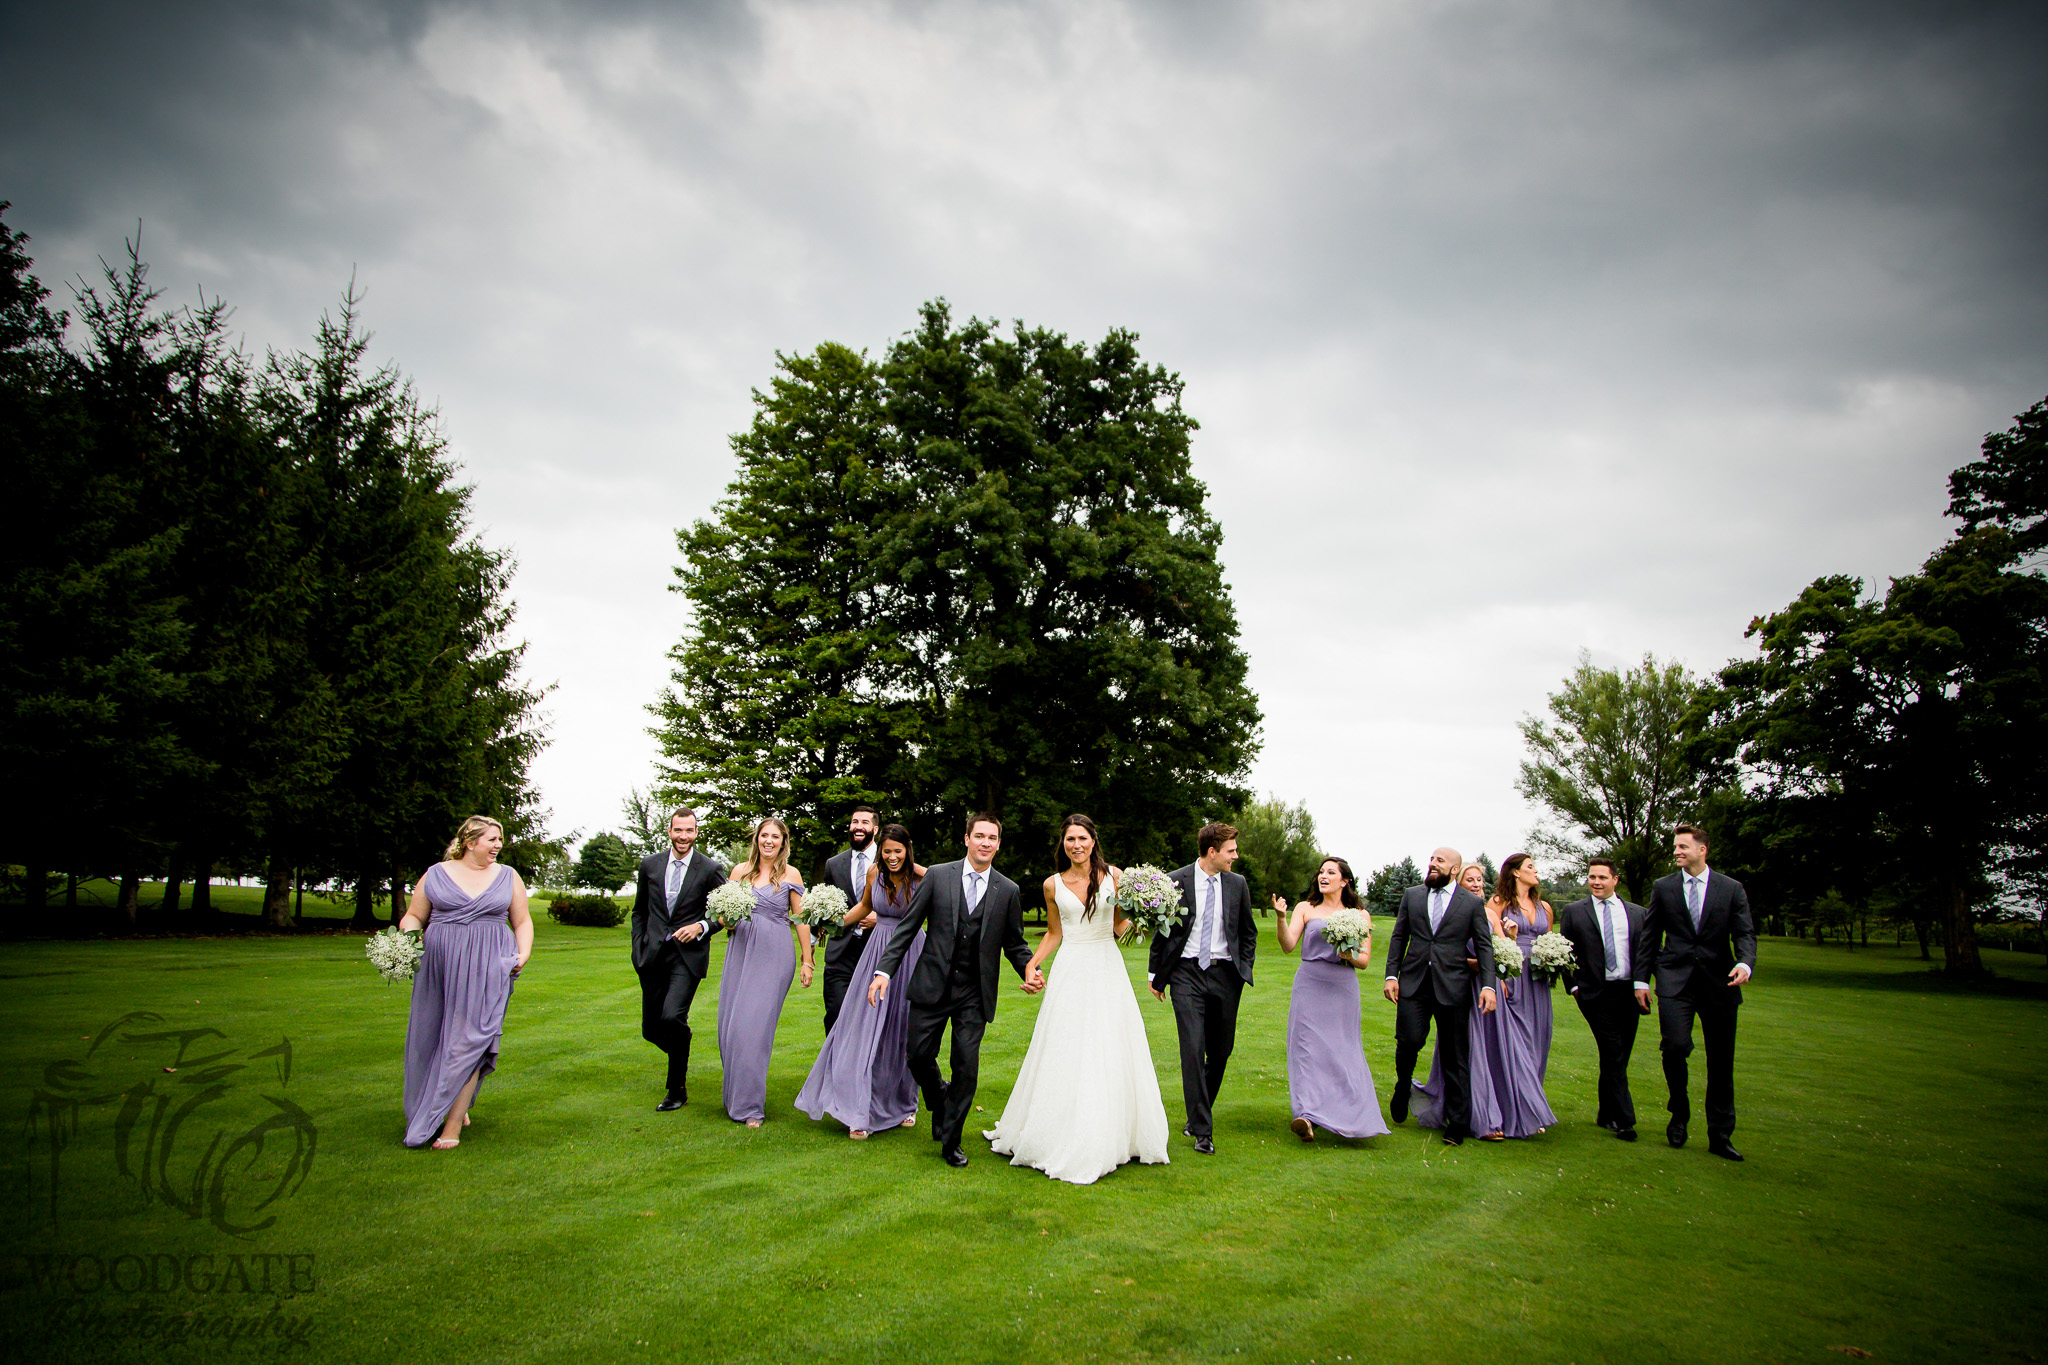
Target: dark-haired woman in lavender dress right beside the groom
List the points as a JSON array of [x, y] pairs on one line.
[[863, 1071]]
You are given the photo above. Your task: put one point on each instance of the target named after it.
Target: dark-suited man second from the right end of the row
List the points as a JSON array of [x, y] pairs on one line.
[[1607, 983]]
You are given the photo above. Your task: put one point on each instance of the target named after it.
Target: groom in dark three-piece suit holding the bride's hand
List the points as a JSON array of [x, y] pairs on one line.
[[974, 920]]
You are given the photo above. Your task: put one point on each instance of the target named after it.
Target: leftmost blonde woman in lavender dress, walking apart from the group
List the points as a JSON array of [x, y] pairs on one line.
[[478, 938]]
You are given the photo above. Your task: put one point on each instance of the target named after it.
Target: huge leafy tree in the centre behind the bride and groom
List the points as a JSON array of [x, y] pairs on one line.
[[974, 576]]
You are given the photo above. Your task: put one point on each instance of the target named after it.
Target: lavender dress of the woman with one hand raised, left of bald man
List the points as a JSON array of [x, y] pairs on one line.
[[1326, 1057]]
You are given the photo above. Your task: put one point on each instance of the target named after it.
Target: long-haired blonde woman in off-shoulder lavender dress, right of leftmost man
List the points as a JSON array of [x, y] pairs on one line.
[[759, 969]]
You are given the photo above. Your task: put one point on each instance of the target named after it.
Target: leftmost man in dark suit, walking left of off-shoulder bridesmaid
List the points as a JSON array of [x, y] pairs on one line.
[[673, 946]]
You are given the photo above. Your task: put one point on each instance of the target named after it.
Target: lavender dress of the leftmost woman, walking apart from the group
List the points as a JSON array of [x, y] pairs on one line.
[[460, 996]]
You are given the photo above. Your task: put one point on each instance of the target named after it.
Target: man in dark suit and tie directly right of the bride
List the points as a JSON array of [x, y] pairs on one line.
[[1207, 965]]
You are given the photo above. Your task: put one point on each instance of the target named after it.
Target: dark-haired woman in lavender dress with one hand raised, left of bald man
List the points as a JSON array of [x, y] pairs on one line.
[[1328, 1080]]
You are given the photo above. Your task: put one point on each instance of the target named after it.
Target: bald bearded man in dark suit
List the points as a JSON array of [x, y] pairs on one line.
[[1437, 930]]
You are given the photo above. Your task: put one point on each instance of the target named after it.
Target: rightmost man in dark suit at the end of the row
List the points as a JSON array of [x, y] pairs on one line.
[[1701, 946]]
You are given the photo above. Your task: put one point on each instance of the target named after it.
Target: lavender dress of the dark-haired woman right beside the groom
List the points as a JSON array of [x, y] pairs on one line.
[[863, 1071]]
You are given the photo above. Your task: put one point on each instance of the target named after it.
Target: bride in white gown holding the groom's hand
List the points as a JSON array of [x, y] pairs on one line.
[[1089, 1098]]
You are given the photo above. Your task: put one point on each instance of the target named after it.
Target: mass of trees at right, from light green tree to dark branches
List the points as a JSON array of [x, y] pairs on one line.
[[1881, 754]]
